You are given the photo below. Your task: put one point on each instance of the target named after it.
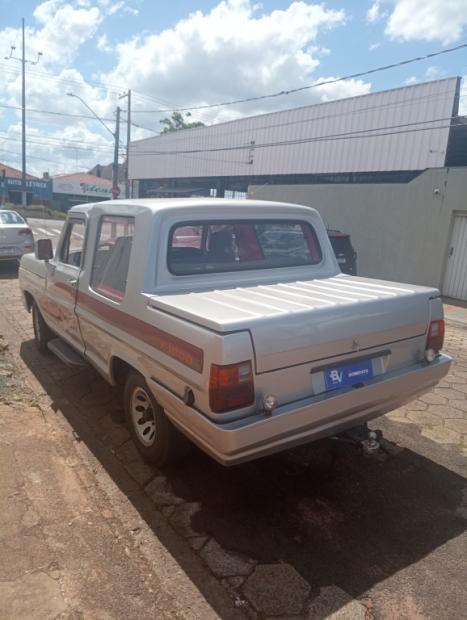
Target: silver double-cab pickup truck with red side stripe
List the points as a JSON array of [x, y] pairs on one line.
[[229, 323]]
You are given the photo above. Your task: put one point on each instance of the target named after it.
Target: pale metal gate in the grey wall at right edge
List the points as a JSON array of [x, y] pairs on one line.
[[455, 280]]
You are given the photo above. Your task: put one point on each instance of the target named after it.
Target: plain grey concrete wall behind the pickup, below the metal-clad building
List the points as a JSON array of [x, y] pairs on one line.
[[400, 231]]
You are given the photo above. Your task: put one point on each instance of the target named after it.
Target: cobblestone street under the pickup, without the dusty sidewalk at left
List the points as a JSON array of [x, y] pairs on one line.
[[318, 532]]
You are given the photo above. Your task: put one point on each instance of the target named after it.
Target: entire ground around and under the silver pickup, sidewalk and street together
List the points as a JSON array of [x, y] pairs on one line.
[[340, 536]]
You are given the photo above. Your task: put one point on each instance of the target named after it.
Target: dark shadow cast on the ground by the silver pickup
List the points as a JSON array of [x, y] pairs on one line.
[[353, 523]]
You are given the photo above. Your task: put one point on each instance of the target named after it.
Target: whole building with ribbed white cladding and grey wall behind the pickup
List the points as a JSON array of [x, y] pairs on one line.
[[388, 167]]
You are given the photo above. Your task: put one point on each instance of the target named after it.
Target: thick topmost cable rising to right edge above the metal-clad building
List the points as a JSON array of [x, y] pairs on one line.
[[310, 86]]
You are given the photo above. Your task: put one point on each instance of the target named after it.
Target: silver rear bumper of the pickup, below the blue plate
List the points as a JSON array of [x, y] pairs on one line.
[[305, 420]]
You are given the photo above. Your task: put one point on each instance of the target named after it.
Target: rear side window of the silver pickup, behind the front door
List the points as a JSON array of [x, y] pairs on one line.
[[112, 256]]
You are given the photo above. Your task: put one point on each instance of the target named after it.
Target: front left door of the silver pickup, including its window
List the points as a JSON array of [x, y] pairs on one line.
[[62, 283]]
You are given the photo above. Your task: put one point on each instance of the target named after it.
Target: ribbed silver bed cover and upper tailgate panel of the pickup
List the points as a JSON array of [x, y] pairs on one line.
[[293, 323]]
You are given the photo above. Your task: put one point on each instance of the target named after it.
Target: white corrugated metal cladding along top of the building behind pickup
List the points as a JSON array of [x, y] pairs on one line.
[[400, 129]]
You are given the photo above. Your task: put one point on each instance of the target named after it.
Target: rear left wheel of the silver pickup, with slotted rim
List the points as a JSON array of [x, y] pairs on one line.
[[154, 435]]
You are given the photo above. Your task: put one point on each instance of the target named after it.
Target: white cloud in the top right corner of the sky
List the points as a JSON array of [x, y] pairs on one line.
[[428, 20]]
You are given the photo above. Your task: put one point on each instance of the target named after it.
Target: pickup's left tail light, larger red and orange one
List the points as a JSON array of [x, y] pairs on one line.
[[231, 387]]
